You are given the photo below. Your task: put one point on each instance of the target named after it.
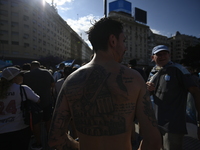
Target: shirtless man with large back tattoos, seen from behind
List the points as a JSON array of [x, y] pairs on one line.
[[103, 97]]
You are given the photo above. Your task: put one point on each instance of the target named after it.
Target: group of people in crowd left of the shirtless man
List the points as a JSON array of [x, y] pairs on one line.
[[41, 86]]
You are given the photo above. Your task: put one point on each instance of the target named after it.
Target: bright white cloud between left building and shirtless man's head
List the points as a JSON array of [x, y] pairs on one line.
[[82, 25]]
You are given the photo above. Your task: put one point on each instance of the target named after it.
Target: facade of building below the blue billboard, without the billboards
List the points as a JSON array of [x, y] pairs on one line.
[[136, 34]]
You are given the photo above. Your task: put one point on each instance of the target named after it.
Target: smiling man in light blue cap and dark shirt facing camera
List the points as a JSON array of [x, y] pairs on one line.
[[169, 84]]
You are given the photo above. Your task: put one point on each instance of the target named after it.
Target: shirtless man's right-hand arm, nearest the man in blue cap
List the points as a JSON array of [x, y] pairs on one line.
[[149, 131]]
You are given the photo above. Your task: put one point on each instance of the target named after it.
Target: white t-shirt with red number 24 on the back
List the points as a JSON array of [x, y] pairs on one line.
[[10, 113]]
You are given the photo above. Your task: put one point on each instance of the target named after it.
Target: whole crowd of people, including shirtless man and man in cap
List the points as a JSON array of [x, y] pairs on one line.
[[96, 106]]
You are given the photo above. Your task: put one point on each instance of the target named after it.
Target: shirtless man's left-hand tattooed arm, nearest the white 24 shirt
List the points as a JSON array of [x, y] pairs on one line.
[[58, 137]]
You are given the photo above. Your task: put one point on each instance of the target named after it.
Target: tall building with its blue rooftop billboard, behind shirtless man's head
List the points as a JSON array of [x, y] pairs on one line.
[[136, 32]]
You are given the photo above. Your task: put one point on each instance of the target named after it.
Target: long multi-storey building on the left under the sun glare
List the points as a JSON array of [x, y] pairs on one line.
[[32, 29]]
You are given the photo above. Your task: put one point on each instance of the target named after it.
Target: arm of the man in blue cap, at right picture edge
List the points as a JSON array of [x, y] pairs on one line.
[[195, 91]]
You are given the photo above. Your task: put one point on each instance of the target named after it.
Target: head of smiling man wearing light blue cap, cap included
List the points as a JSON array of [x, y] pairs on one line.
[[161, 55]]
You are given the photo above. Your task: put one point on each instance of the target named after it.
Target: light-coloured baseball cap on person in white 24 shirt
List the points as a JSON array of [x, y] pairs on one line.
[[10, 72]]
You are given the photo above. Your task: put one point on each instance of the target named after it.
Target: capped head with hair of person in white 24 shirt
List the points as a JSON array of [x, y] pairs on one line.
[[10, 75]]
